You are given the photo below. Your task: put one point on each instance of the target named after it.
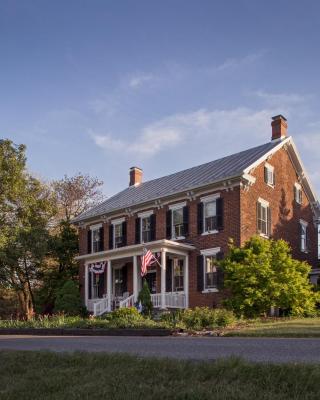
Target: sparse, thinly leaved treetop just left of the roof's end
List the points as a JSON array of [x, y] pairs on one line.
[[76, 195]]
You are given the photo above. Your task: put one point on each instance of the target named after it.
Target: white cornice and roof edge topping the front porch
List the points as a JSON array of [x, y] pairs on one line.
[[137, 250]]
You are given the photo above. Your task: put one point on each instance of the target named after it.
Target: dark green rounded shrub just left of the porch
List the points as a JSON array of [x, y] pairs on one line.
[[68, 299]]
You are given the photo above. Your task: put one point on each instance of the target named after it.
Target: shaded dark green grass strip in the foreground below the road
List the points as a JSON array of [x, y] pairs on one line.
[[42, 375]]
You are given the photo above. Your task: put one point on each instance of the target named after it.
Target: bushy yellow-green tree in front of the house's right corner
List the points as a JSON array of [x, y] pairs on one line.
[[262, 274]]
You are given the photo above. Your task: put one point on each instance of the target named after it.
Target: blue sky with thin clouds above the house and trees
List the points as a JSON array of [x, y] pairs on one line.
[[99, 86]]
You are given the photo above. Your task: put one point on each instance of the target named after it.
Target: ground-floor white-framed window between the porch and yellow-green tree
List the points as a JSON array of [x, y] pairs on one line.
[[210, 269]]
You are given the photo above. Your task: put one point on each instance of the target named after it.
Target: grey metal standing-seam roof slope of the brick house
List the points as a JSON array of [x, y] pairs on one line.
[[201, 175]]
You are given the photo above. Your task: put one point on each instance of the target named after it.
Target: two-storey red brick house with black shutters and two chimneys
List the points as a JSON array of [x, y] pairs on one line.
[[187, 218]]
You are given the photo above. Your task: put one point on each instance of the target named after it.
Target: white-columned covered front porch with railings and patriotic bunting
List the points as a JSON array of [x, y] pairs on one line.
[[119, 284]]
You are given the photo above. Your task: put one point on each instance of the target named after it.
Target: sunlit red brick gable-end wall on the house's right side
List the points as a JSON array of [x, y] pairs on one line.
[[285, 212]]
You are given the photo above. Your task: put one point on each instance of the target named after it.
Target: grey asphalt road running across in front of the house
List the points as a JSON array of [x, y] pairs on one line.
[[205, 348]]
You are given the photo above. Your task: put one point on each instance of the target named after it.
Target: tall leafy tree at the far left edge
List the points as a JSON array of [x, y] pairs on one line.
[[27, 207]]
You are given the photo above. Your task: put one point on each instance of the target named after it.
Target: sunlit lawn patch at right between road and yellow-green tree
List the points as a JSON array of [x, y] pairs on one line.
[[295, 327]]
